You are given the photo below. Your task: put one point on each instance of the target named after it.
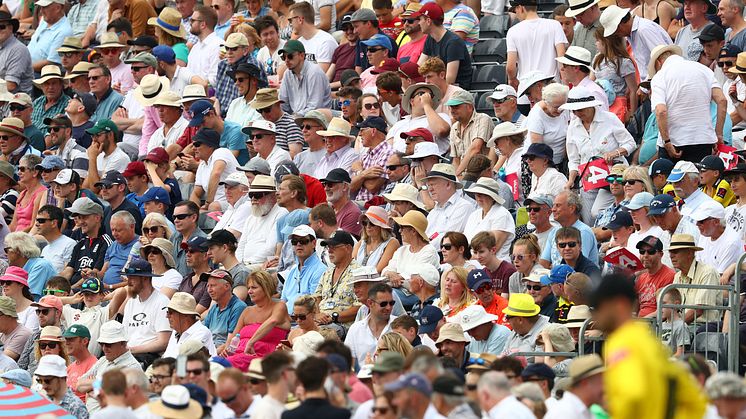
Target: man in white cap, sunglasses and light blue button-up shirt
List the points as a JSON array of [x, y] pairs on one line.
[[305, 274]]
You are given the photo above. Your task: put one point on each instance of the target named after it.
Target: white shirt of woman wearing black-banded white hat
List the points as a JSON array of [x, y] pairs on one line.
[[607, 134]]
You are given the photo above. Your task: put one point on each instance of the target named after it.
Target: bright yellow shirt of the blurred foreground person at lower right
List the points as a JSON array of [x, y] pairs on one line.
[[639, 374]]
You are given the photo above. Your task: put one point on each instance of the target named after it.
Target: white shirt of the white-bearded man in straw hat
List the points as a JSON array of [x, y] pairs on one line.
[[258, 237]]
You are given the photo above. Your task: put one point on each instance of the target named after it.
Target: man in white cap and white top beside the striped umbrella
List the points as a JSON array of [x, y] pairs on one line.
[[113, 340]]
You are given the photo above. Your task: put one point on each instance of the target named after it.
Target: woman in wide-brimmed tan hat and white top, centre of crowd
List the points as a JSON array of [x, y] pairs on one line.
[[415, 250]]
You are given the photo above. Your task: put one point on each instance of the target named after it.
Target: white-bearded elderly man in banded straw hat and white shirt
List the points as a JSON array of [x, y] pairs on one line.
[[259, 238]]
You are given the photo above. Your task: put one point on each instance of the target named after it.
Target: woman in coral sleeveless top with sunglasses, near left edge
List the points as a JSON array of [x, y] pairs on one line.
[[29, 202]]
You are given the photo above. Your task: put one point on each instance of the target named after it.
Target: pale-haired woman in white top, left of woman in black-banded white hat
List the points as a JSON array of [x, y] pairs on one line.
[[547, 123]]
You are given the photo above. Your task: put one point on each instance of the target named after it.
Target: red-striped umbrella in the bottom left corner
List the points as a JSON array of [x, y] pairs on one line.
[[20, 402]]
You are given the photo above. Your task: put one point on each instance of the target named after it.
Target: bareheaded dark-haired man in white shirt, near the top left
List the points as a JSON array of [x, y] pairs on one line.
[[203, 60]]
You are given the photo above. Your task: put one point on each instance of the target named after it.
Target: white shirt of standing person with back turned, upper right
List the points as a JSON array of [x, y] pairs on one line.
[[685, 88]]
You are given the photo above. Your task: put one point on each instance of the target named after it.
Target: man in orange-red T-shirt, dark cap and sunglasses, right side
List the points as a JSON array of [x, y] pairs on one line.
[[656, 276]]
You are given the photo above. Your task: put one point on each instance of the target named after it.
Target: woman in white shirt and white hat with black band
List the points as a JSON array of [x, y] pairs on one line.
[[595, 133]]
